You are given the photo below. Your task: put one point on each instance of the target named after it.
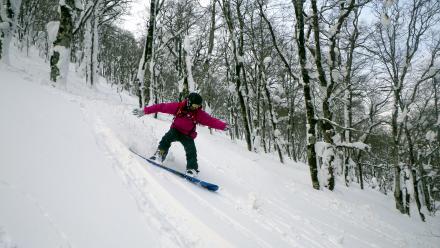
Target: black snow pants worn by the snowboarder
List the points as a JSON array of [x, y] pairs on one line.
[[188, 143]]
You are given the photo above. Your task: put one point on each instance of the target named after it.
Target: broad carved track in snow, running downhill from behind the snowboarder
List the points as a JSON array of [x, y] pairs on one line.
[[178, 217]]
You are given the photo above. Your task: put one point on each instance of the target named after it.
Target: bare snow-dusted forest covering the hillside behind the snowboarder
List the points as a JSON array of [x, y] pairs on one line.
[[350, 87]]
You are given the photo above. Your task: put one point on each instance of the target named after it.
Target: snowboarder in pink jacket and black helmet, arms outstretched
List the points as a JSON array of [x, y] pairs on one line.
[[188, 114]]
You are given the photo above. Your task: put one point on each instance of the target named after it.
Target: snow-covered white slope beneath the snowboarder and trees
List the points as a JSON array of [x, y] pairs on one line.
[[67, 179]]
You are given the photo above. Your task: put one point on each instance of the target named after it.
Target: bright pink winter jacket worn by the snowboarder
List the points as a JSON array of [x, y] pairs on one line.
[[185, 123]]
